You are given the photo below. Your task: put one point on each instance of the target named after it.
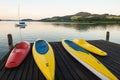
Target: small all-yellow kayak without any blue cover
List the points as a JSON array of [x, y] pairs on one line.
[[84, 44]]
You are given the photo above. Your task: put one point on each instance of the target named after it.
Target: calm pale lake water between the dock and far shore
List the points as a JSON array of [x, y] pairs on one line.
[[53, 32]]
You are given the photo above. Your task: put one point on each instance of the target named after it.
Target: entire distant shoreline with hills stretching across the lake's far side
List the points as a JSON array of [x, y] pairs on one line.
[[79, 18]]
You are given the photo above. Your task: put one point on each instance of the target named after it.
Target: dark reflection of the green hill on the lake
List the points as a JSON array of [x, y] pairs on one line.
[[84, 27]]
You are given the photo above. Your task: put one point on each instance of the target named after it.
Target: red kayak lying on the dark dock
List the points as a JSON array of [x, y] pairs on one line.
[[18, 54]]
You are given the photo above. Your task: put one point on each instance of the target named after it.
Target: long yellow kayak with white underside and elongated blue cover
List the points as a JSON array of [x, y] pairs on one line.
[[86, 59]]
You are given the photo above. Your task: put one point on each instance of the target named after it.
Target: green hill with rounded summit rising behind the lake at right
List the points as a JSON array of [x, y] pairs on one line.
[[85, 17]]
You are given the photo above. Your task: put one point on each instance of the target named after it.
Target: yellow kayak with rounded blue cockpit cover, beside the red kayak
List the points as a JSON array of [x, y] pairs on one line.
[[44, 58]]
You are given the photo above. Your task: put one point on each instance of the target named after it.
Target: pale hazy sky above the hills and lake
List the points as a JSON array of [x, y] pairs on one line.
[[37, 9]]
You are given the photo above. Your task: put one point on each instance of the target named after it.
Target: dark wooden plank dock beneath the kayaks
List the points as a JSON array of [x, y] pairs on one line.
[[67, 68]]
